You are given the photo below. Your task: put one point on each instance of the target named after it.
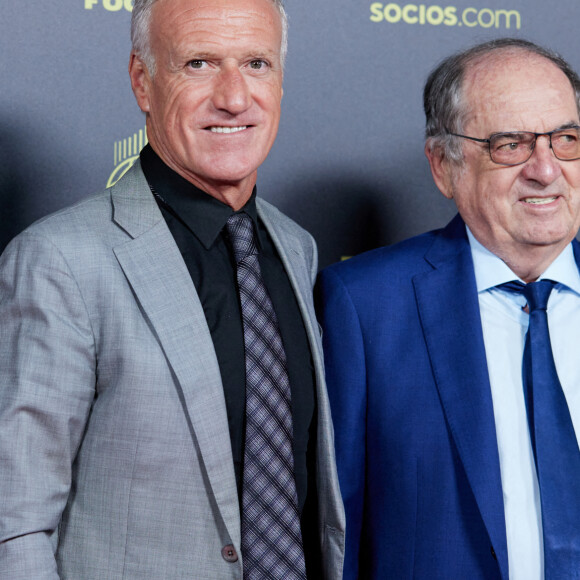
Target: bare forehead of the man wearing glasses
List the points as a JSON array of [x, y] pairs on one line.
[[518, 91]]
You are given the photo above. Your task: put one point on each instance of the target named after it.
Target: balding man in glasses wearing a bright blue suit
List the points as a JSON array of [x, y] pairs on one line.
[[457, 419]]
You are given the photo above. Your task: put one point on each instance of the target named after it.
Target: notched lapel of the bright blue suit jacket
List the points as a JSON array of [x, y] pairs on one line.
[[449, 311]]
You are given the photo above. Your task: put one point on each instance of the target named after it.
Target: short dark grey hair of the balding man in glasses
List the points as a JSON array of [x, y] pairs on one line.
[[443, 98]]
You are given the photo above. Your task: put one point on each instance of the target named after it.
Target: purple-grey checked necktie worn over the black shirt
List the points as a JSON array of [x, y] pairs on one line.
[[271, 537]]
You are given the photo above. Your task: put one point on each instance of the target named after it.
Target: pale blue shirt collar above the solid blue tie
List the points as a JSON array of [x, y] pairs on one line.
[[491, 271]]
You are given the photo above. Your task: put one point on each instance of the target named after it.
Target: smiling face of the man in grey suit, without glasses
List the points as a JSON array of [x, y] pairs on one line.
[[213, 105]]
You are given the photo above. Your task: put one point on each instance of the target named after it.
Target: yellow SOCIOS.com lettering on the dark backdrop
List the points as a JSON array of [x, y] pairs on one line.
[[448, 15]]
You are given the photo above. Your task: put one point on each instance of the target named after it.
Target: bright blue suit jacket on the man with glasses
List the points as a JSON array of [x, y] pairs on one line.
[[410, 396]]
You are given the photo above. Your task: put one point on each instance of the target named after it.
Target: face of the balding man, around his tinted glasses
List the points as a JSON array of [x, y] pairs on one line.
[[516, 211]]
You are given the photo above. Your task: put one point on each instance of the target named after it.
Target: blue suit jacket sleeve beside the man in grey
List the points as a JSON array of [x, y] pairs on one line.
[[346, 382]]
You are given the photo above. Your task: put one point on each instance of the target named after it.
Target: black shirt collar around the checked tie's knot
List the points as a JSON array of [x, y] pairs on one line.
[[203, 214]]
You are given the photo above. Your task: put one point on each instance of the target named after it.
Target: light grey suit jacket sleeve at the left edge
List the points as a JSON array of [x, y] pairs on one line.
[[47, 385]]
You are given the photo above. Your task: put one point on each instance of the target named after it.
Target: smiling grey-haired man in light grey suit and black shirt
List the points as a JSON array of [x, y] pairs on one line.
[[123, 342]]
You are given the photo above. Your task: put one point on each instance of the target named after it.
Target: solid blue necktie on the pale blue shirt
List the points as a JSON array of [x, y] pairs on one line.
[[553, 440]]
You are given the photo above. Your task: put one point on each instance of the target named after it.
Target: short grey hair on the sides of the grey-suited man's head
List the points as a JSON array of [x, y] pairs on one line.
[[141, 25]]
